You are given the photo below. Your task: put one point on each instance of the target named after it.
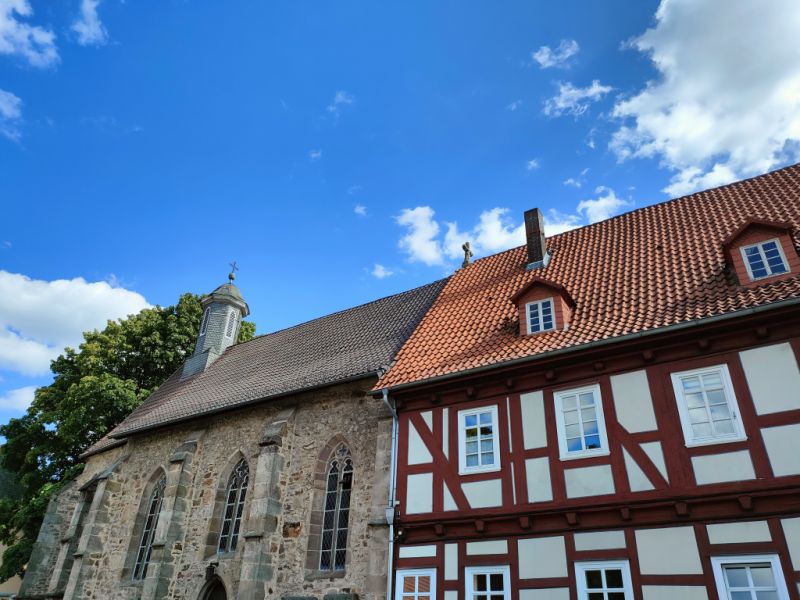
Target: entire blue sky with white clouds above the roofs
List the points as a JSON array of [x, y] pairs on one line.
[[341, 152]]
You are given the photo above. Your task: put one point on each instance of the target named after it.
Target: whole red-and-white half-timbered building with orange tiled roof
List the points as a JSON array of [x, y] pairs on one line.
[[612, 413]]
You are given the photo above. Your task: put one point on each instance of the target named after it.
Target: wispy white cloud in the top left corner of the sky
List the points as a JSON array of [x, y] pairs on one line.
[[33, 43]]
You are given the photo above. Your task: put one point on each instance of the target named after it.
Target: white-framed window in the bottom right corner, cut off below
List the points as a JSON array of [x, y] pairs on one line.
[[749, 578]]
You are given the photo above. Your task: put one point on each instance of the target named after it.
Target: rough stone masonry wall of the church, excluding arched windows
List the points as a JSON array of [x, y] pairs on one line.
[[270, 560]]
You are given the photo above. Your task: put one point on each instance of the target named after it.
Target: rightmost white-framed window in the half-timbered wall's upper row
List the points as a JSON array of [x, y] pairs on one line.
[[707, 406]]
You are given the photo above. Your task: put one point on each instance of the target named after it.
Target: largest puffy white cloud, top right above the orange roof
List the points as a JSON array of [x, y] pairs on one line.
[[725, 105]]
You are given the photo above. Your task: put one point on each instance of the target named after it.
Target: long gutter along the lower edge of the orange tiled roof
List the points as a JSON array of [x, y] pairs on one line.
[[789, 302]]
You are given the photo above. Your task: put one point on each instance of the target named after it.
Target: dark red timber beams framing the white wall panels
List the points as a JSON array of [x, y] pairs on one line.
[[676, 498]]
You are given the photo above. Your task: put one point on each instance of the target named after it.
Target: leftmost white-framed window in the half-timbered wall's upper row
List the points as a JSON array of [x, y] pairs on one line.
[[479, 446]]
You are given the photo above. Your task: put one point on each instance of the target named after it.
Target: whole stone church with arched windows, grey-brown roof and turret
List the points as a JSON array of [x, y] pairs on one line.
[[258, 470]]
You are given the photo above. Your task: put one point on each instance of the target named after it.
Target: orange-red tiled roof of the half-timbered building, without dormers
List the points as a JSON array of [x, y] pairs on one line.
[[650, 268]]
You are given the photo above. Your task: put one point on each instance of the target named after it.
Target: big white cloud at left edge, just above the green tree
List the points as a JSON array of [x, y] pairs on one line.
[[39, 318]]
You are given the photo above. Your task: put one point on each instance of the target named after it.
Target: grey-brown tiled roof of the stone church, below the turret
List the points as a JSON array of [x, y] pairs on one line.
[[343, 346]]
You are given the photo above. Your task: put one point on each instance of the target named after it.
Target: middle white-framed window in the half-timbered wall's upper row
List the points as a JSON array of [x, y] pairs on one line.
[[579, 421]]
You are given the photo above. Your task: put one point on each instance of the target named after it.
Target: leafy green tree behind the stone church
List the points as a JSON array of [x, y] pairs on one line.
[[93, 389]]
